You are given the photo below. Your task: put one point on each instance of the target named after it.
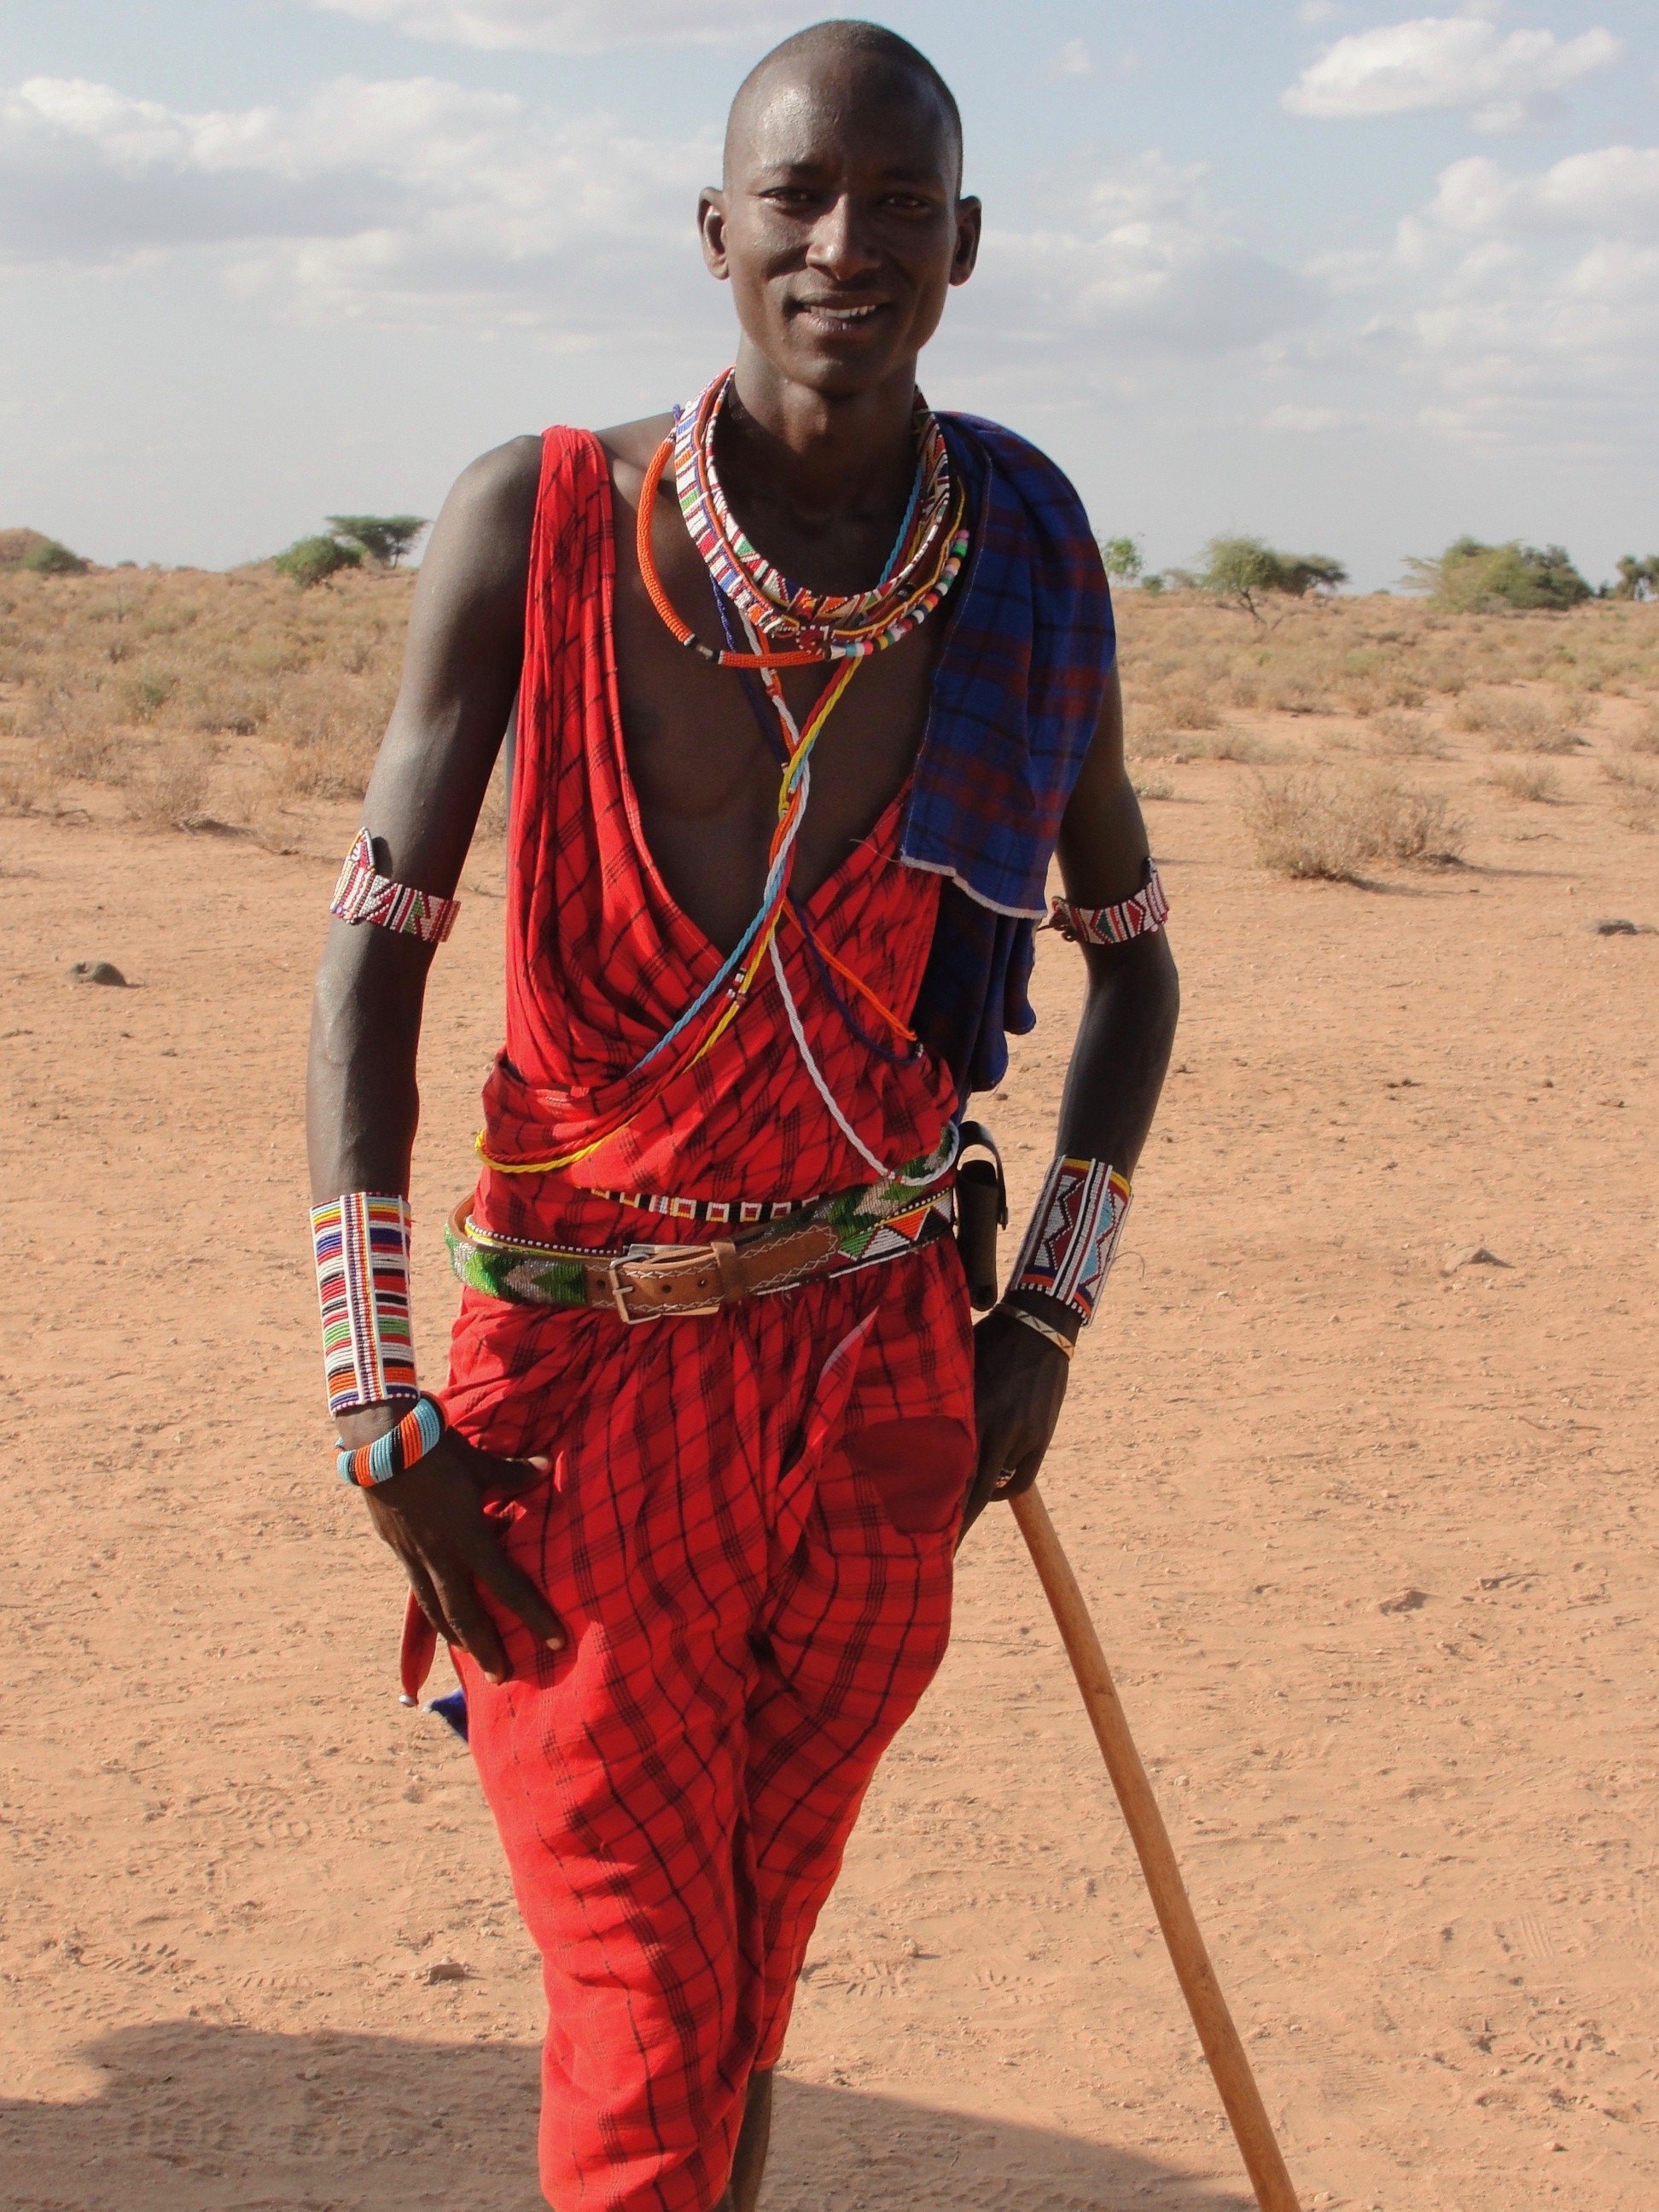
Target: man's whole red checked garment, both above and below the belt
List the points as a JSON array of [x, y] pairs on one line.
[[751, 1516]]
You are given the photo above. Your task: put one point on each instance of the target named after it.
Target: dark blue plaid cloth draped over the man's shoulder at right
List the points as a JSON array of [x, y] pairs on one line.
[[1016, 705]]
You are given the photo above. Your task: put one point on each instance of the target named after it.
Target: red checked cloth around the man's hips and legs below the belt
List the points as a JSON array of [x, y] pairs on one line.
[[749, 1536]]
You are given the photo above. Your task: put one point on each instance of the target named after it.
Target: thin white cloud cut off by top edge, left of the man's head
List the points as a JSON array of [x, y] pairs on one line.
[[572, 25]]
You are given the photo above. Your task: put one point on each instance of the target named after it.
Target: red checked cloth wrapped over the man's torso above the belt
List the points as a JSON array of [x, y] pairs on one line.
[[601, 959]]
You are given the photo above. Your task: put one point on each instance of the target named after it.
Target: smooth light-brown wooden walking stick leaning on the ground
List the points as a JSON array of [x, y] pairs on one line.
[[1151, 1839]]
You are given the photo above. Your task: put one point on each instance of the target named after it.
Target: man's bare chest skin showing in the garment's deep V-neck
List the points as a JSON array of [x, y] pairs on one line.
[[702, 747]]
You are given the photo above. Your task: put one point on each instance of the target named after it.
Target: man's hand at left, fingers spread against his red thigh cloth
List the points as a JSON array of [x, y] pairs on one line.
[[432, 1516]]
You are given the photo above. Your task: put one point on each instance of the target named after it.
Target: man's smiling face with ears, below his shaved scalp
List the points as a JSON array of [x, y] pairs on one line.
[[839, 225]]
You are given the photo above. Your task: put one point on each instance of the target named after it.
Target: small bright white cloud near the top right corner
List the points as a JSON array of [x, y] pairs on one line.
[[1499, 79]]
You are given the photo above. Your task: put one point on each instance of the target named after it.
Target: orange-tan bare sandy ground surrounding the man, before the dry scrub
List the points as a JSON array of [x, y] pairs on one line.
[[1423, 1837]]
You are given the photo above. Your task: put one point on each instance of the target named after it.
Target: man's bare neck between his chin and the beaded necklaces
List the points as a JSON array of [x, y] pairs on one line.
[[822, 457]]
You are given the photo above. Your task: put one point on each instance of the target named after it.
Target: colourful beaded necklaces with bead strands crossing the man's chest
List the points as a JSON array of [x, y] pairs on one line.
[[815, 629]]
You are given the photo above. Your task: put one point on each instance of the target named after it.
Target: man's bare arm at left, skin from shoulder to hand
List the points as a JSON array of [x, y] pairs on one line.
[[362, 1103]]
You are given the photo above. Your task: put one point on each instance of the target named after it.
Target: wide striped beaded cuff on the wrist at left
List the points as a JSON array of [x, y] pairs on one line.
[[362, 1244]]
